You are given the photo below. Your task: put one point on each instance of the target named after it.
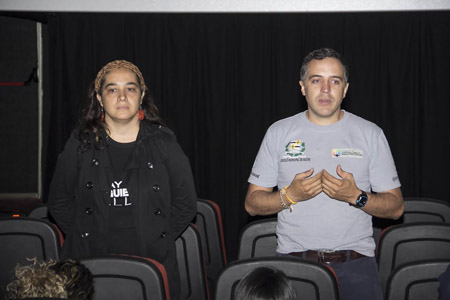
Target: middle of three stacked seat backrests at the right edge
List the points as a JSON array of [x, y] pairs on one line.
[[411, 242]]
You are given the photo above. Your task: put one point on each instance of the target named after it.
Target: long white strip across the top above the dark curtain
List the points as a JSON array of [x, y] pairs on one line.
[[230, 6]]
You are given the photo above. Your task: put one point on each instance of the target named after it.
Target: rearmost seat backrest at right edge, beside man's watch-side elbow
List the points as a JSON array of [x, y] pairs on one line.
[[416, 210]]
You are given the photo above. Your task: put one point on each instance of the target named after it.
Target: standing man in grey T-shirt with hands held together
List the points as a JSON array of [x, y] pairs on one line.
[[326, 162]]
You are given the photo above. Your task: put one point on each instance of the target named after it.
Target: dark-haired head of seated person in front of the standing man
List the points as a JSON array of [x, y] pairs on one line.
[[265, 284]]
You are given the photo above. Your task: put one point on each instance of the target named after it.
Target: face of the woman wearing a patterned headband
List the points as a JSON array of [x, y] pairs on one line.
[[120, 96]]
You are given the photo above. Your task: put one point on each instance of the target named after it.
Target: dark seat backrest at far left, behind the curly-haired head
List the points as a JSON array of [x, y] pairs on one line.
[[22, 239]]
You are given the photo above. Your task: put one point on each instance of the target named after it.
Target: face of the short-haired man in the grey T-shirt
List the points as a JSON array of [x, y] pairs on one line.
[[324, 88]]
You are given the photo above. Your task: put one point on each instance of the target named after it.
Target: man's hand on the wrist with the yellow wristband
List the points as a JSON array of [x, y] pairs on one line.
[[304, 187]]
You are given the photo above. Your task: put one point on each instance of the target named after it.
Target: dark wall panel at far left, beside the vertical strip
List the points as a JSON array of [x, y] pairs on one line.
[[18, 107]]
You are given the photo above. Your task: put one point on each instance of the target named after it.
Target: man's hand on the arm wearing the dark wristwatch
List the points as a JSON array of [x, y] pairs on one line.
[[344, 189]]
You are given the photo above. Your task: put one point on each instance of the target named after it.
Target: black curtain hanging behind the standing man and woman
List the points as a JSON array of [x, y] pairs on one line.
[[220, 80]]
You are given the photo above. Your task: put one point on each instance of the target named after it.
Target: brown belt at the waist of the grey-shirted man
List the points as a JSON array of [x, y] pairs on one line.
[[328, 256]]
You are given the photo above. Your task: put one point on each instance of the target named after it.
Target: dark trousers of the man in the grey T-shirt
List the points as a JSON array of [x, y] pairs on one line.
[[357, 279]]
